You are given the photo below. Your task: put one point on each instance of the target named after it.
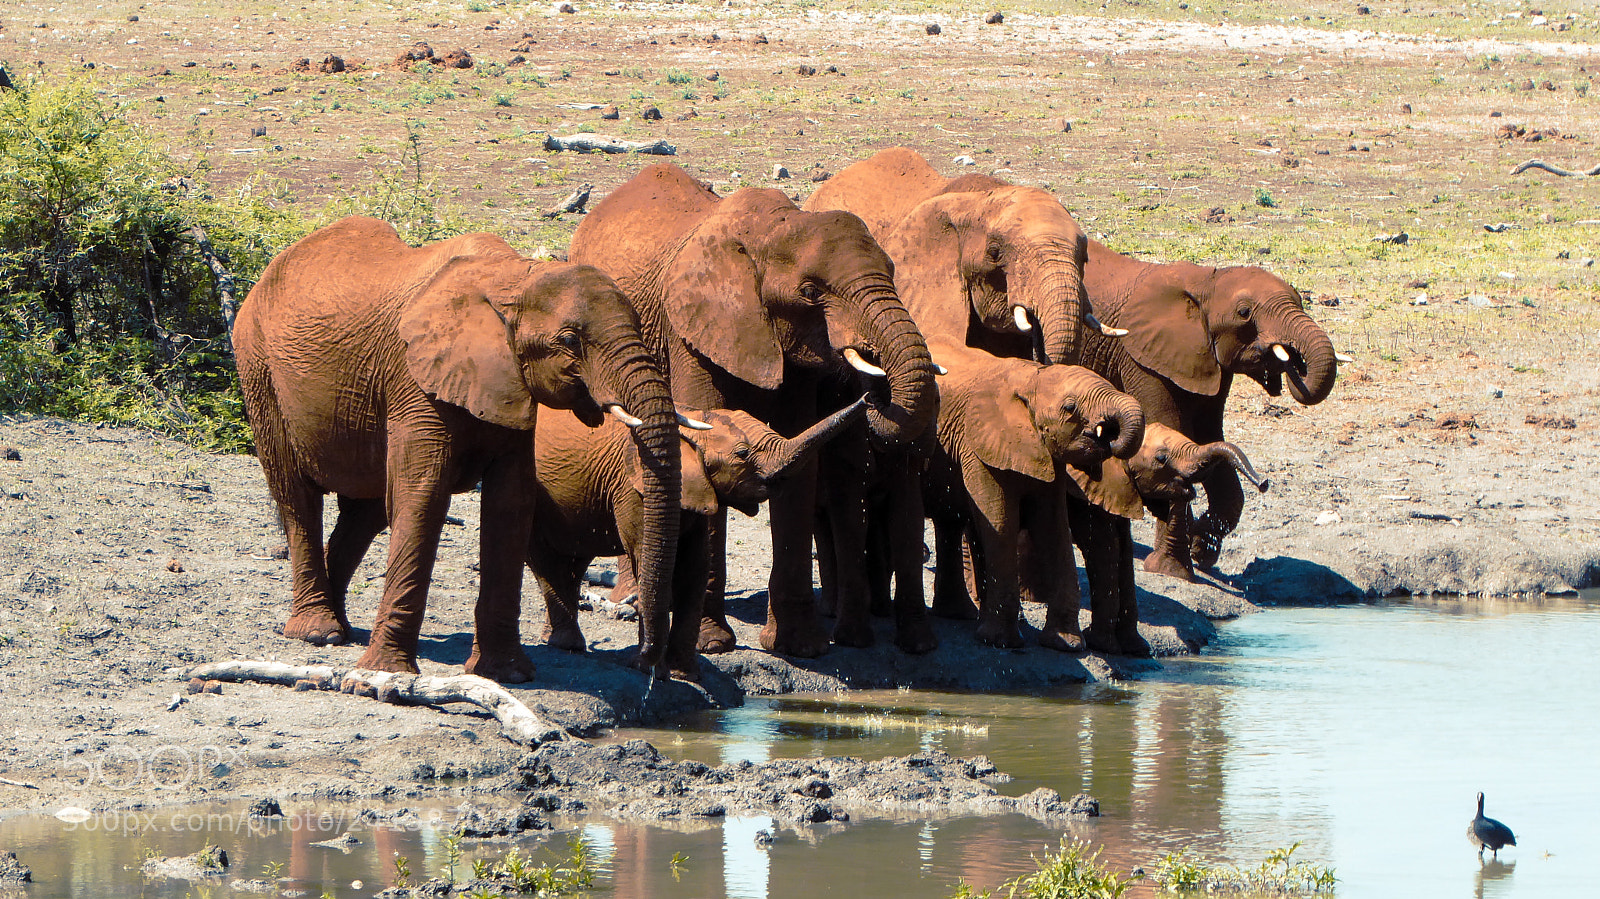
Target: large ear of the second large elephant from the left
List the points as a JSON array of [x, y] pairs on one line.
[[714, 303]]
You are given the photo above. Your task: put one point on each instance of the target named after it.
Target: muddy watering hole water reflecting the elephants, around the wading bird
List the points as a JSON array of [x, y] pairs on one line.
[[1359, 732]]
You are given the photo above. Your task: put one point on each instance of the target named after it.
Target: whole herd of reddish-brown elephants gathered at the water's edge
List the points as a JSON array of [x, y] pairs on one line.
[[905, 348]]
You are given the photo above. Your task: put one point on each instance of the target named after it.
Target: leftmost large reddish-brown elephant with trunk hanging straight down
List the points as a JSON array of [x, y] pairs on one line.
[[396, 377]]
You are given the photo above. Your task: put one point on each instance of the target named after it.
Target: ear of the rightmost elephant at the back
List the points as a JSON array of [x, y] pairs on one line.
[[1167, 330]]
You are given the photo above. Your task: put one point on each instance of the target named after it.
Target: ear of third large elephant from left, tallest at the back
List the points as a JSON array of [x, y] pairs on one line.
[[927, 252]]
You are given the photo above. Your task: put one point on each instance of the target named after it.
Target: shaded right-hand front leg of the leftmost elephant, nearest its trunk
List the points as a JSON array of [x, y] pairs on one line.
[[503, 540]]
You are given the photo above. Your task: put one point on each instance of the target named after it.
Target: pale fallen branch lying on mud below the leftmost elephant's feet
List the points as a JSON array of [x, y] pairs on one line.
[[518, 722]]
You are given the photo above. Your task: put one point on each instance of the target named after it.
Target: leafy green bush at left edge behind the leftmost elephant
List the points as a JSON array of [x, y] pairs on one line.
[[110, 311]]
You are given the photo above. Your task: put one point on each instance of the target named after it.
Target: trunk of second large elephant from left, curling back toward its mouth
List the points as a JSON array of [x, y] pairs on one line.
[[903, 354]]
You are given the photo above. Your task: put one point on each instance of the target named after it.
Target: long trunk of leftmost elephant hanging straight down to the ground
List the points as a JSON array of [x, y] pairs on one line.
[[644, 390]]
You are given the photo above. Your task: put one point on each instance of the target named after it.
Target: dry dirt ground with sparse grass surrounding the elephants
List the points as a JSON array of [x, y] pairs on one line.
[[1457, 455]]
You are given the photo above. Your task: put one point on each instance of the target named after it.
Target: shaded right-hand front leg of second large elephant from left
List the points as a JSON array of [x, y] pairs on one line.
[[793, 625]]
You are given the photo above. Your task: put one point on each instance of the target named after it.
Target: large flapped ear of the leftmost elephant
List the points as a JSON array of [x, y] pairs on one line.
[[458, 351]]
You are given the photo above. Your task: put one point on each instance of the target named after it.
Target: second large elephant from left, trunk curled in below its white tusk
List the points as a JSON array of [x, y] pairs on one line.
[[754, 302]]
